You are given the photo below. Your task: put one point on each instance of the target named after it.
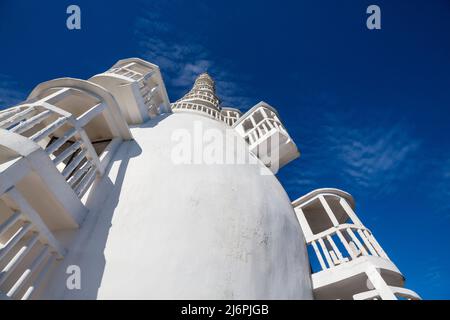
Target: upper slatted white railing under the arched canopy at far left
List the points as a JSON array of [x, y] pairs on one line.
[[72, 153]]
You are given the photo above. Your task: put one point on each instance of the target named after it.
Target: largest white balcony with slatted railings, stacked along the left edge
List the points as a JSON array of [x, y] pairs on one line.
[[52, 148]]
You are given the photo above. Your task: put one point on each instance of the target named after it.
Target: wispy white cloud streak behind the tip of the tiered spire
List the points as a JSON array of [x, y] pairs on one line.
[[182, 57]]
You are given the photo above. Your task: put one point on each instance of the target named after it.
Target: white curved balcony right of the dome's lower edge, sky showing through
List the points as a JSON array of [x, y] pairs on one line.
[[347, 260]]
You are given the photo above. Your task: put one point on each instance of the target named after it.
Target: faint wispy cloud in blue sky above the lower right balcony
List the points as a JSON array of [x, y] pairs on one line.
[[373, 157]]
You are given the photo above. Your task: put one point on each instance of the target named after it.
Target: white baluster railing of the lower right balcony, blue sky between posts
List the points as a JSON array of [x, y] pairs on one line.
[[354, 241]]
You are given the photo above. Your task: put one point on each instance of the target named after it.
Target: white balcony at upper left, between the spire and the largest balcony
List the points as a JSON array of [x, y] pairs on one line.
[[138, 87]]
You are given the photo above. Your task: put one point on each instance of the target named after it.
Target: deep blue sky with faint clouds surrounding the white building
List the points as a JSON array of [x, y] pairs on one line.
[[369, 110]]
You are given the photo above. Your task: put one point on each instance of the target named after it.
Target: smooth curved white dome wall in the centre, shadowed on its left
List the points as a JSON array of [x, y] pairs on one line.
[[157, 230]]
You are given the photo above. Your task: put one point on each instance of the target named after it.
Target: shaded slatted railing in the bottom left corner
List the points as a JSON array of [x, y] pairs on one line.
[[28, 249]]
